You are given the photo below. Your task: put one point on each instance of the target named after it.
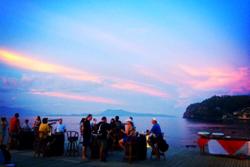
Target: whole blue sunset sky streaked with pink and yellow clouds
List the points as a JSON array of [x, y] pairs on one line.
[[144, 56]]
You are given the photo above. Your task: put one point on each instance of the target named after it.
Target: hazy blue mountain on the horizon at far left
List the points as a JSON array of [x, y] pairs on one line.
[[10, 111]]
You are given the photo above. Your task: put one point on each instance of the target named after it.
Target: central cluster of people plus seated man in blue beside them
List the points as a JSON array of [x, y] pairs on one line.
[[114, 134]]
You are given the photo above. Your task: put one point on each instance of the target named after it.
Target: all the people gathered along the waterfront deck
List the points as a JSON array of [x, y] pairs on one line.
[[114, 134]]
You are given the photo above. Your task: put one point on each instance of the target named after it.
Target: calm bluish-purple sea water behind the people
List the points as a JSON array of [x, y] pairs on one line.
[[177, 131]]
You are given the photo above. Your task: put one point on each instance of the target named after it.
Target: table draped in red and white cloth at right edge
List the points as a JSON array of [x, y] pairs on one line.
[[224, 146]]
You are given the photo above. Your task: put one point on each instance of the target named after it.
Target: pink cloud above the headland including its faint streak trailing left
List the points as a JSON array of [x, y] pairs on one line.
[[189, 80]]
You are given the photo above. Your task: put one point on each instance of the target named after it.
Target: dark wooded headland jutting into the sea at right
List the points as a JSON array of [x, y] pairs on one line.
[[219, 108]]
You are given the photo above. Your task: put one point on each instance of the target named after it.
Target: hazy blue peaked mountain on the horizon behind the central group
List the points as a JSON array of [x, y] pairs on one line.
[[120, 112]]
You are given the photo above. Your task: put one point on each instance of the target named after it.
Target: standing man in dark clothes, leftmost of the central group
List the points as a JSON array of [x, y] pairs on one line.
[[86, 136]]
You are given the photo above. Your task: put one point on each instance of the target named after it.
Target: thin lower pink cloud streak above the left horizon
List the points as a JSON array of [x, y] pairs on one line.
[[63, 95]]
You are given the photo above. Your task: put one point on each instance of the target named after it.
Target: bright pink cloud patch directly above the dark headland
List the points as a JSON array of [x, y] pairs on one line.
[[235, 80]]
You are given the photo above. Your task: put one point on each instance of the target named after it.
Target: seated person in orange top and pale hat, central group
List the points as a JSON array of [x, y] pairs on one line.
[[129, 132]]
